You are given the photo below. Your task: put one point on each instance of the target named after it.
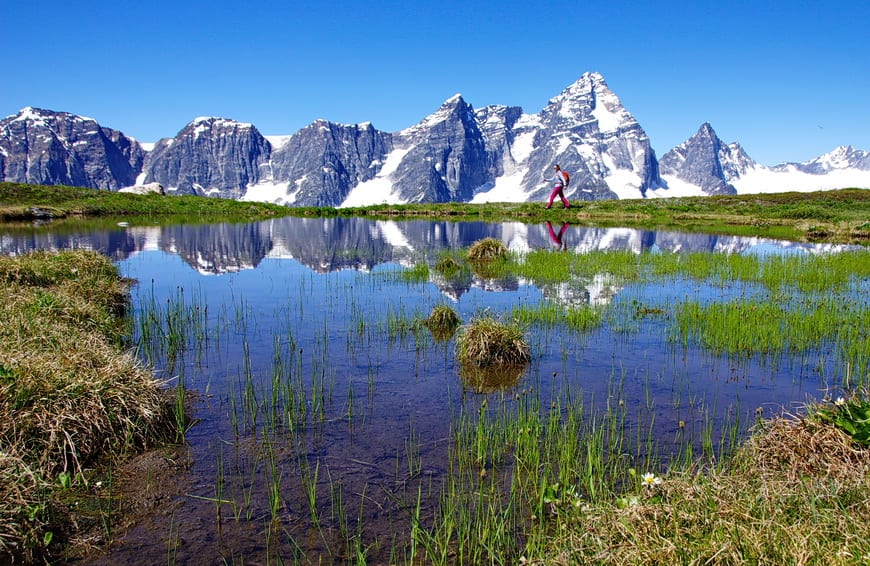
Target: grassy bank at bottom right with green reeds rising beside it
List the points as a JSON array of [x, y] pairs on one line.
[[533, 486]]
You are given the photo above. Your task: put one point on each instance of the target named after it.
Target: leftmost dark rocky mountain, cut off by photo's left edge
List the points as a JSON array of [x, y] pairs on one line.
[[57, 148]]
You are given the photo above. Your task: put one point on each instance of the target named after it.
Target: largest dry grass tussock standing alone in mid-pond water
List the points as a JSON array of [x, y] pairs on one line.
[[487, 342]]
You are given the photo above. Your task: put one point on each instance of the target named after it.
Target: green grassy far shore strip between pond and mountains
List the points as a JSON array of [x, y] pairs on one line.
[[839, 216]]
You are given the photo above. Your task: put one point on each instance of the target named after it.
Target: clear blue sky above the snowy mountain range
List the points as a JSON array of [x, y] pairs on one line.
[[788, 80]]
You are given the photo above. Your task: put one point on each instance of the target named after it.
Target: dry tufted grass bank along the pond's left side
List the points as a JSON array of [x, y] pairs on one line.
[[69, 395]]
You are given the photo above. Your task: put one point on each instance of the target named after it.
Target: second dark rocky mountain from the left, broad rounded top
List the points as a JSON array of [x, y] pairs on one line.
[[209, 156]]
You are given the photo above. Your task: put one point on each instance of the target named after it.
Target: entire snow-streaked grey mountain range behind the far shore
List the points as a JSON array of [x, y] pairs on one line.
[[457, 153]]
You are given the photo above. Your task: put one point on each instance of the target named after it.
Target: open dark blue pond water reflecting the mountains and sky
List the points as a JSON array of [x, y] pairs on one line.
[[320, 303]]
